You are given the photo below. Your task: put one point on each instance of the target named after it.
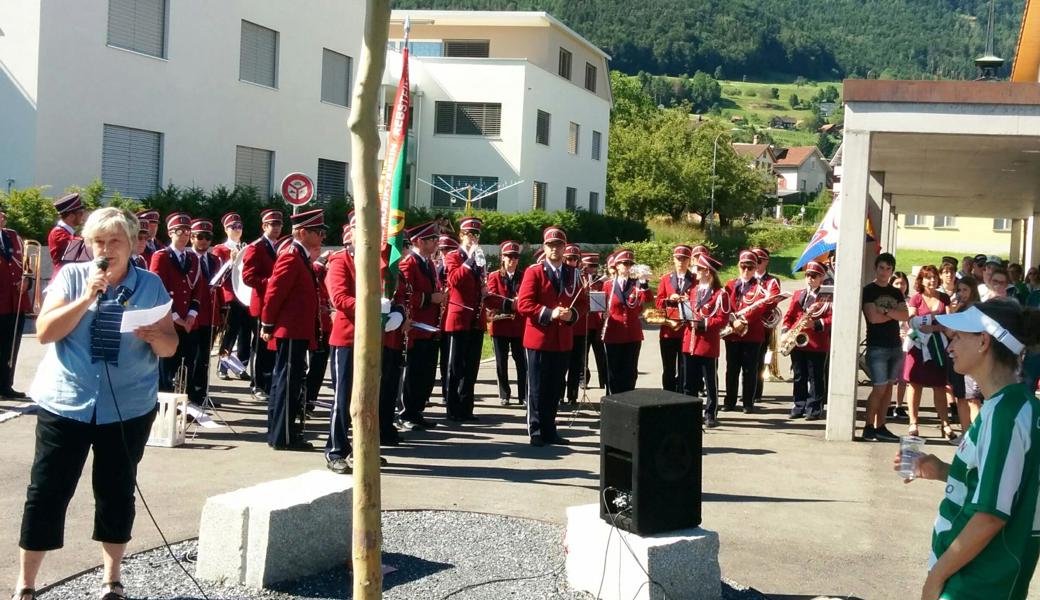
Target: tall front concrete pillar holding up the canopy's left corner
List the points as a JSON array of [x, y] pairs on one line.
[[849, 285]]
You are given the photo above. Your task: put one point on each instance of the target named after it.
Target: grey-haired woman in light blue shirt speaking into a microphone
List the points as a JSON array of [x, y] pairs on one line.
[[97, 392]]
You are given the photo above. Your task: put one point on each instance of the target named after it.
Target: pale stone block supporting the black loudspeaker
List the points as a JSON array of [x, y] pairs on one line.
[[683, 565]]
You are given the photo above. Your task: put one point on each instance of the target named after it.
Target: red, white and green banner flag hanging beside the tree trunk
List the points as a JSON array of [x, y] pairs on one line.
[[393, 181]]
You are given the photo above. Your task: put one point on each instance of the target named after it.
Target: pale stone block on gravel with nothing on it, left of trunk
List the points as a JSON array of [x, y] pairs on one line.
[[278, 531]]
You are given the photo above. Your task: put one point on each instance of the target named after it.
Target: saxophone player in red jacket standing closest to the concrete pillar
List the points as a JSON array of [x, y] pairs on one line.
[[811, 311]]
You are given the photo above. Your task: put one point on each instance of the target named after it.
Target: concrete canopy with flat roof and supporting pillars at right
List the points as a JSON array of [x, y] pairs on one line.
[[956, 148]]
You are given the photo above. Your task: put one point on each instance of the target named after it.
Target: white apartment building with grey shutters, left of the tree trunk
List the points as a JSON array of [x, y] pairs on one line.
[[147, 93]]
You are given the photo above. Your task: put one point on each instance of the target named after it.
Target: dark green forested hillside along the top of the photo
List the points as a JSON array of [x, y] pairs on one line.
[[776, 39]]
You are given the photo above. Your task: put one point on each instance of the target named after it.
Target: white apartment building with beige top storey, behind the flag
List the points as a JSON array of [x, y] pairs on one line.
[[502, 98]]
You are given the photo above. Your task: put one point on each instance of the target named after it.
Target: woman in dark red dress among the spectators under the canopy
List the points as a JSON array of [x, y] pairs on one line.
[[924, 368]]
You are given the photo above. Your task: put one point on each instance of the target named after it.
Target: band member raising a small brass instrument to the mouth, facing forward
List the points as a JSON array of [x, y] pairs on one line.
[[465, 323]]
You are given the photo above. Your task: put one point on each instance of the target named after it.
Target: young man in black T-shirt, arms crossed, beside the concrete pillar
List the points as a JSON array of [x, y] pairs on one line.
[[885, 307]]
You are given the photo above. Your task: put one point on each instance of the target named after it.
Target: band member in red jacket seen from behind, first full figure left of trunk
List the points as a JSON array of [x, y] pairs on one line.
[[291, 323]]
